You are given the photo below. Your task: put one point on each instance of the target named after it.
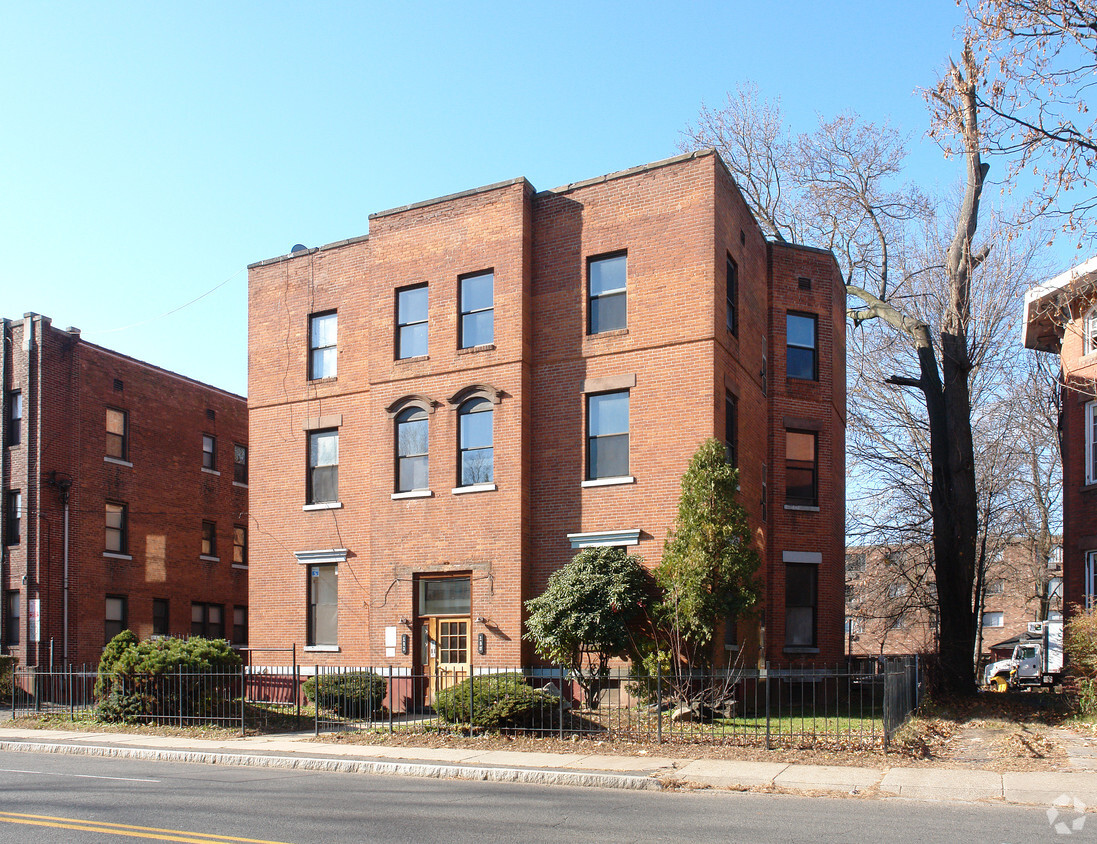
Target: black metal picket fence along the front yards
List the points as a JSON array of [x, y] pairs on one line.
[[773, 707]]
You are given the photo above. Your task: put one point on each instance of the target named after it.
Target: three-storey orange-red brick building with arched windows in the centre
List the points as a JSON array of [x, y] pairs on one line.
[[445, 412]]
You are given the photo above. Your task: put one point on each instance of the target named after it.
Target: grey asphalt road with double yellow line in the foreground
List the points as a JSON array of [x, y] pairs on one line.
[[51, 798]]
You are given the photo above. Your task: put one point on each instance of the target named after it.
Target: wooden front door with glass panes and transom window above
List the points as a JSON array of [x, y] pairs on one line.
[[444, 634]]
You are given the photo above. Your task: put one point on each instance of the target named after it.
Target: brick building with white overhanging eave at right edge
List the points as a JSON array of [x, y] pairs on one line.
[[1061, 318]]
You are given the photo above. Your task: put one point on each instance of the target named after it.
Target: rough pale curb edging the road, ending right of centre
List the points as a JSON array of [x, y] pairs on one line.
[[537, 777]]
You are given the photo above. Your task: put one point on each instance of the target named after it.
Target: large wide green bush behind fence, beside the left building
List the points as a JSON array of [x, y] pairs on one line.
[[144, 681]]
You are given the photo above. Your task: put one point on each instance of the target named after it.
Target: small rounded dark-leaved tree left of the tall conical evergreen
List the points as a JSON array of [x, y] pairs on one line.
[[583, 618]]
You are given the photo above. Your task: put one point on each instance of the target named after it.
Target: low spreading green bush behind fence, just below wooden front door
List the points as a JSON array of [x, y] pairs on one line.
[[500, 701]]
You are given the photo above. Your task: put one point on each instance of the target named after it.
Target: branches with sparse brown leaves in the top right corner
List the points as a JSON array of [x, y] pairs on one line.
[[1041, 62]]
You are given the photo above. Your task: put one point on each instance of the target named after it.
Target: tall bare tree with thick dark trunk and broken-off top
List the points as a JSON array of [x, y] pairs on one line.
[[861, 207]]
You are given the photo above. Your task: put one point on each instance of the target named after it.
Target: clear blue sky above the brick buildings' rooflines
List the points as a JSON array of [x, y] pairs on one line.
[[149, 152]]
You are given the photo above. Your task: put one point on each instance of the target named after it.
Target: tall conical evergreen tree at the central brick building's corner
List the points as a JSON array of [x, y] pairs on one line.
[[709, 571]]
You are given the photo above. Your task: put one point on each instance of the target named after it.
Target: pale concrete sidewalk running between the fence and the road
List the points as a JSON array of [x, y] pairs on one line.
[[302, 751]]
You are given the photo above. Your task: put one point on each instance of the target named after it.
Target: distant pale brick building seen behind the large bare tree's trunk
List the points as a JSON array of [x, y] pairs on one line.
[[891, 599]]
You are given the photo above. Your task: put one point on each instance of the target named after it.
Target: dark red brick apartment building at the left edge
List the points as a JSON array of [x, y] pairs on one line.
[[154, 469]]
